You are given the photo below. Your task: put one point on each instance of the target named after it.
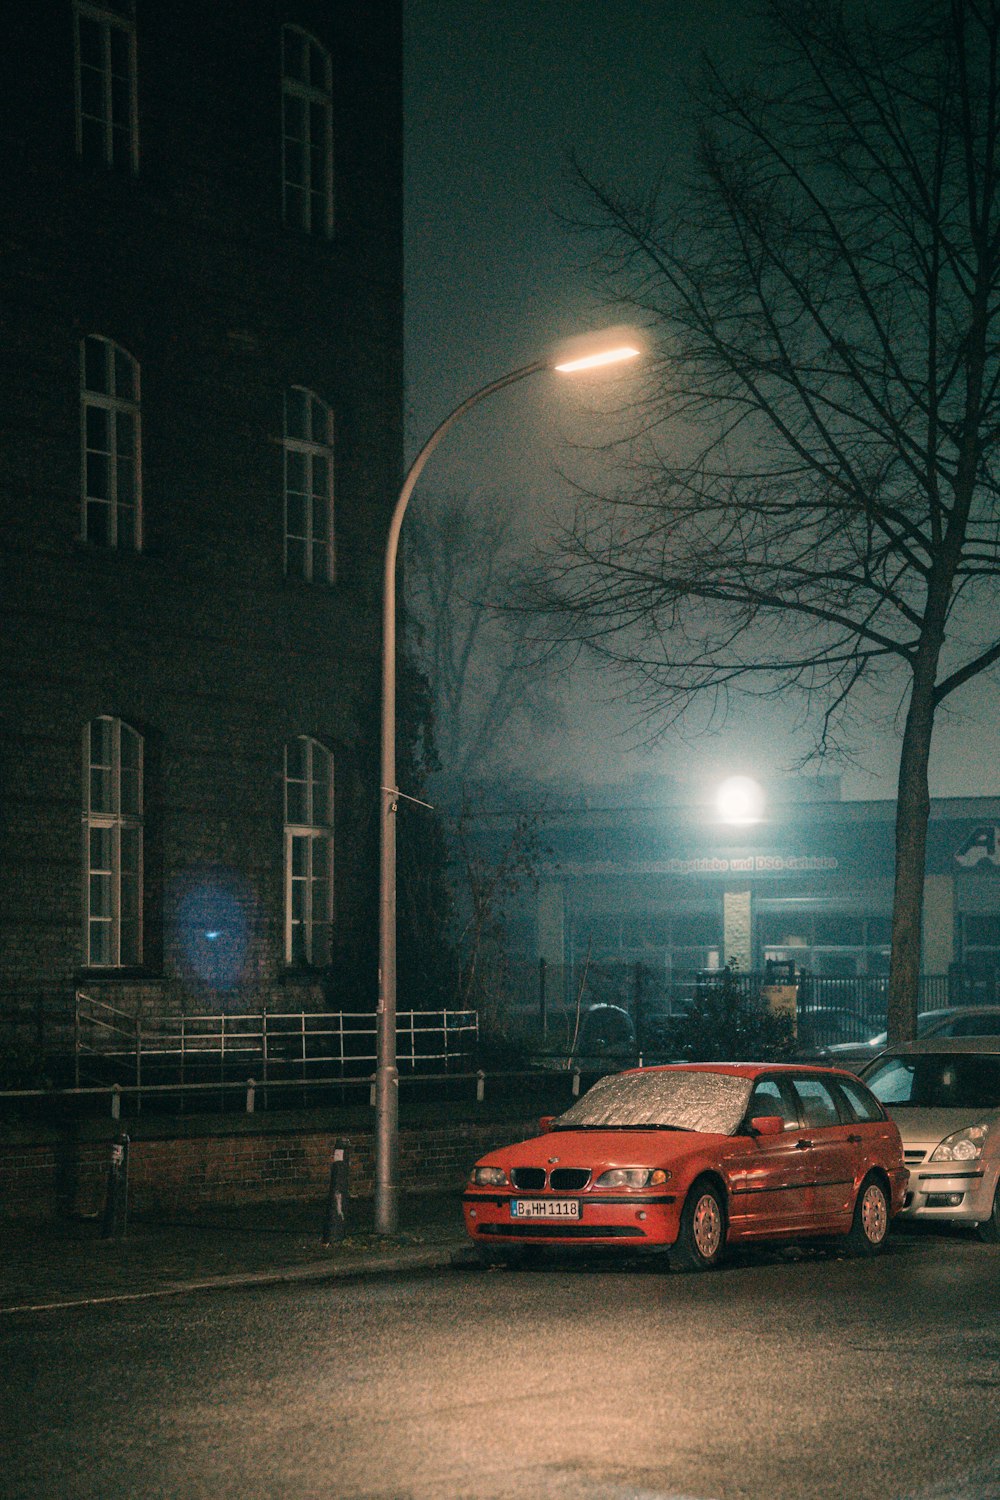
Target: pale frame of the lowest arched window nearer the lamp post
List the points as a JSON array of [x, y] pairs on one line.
[[313, 835]]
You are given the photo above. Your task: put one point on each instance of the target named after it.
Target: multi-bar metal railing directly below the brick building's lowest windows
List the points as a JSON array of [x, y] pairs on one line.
[[116, 1046]]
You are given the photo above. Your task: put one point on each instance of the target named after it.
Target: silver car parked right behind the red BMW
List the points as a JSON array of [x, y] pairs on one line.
[[945, 1097]]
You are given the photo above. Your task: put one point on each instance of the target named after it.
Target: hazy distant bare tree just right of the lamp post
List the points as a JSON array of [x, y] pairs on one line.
[[490, 695]]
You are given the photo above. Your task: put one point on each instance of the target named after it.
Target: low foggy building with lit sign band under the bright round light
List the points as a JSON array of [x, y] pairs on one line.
[[647, 886]]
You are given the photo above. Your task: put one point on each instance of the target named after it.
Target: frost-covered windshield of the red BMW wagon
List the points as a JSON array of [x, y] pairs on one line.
[[705, 1102]]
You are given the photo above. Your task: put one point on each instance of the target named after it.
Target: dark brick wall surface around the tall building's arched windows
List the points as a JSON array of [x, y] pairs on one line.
[[200, 643]]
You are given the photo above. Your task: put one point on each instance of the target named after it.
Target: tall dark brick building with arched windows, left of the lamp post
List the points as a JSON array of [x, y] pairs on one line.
[[202, 437]]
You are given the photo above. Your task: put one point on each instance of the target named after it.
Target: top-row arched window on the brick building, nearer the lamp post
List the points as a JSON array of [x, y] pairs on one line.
[[307, 133]]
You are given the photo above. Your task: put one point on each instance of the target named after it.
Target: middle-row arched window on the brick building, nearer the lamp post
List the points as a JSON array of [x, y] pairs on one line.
[[308, 487]]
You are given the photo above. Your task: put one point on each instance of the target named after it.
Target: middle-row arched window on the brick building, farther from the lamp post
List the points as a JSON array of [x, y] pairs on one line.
[[110, 445]]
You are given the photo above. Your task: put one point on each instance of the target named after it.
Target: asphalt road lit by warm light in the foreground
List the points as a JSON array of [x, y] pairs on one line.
[[780, 1378]]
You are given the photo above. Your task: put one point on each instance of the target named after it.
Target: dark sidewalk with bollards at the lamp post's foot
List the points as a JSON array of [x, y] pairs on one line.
[[49, 1264]]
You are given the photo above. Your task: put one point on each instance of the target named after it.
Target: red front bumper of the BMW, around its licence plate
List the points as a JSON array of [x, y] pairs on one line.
[[621, 1222]]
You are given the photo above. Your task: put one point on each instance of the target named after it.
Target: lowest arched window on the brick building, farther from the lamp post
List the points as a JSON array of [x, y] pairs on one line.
[[113, 845]]
